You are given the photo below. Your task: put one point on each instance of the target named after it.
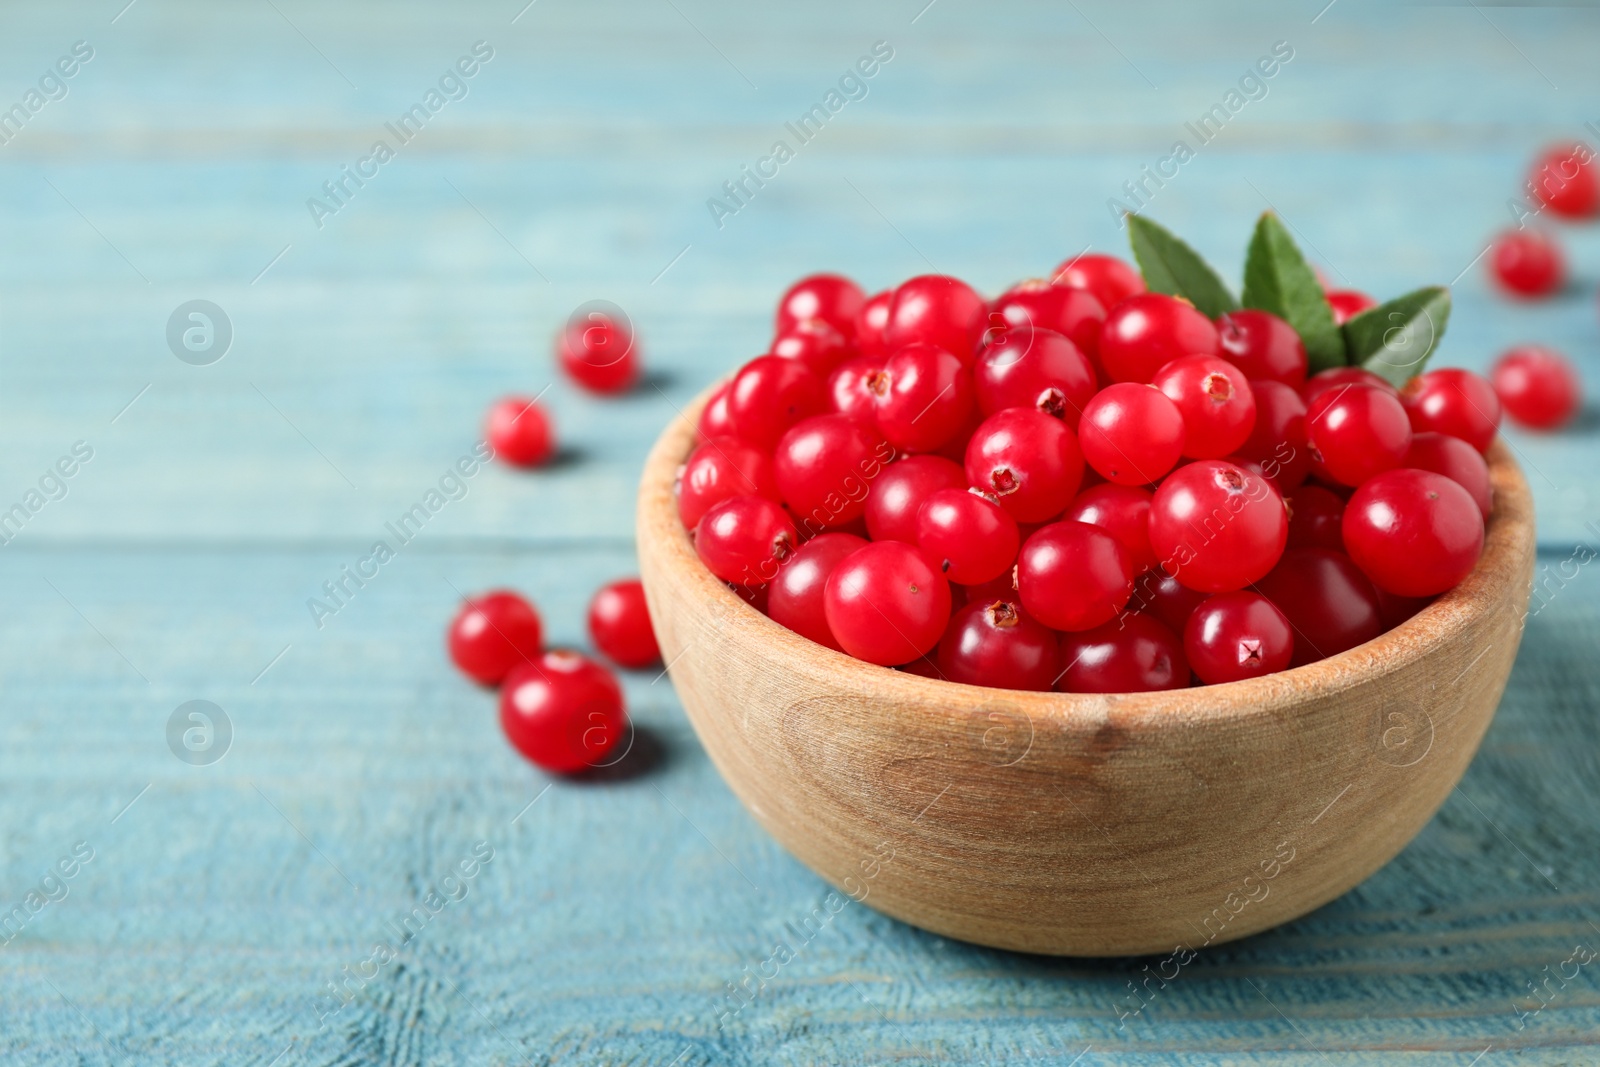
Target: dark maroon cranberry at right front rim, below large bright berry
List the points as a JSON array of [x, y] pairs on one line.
[[1327, 601]]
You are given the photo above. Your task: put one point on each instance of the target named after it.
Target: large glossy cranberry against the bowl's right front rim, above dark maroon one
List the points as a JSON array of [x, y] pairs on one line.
[[1414, 533]]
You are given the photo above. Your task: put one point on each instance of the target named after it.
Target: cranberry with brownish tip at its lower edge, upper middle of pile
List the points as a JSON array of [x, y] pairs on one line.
[[1034, 369]]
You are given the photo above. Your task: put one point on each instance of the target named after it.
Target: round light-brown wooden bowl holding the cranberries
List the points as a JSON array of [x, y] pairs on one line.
[[1087, 825]]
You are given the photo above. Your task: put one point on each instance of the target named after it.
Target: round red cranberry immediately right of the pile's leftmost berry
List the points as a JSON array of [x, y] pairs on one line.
[[825, 466]]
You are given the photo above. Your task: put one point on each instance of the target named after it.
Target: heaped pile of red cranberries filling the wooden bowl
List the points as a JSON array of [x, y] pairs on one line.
[[1081, 486]]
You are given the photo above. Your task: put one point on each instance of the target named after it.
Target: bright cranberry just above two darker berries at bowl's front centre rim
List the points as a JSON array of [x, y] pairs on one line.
[[1074, 577]]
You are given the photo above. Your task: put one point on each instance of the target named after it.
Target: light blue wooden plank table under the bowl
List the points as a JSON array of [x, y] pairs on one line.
[[222, 900]]
